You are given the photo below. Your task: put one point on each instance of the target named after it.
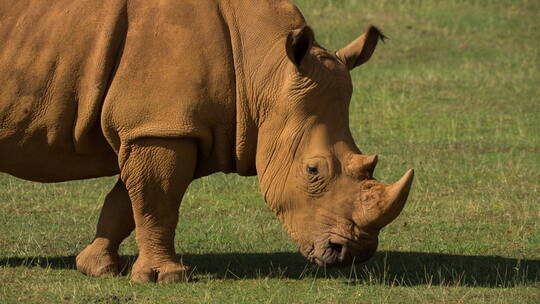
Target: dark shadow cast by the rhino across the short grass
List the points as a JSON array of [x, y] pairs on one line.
[[386, 267]]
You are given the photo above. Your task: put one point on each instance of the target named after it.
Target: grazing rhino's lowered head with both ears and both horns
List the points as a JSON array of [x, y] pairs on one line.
[[311, 172]]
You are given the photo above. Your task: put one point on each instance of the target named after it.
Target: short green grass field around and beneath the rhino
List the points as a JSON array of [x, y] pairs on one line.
[[454, 94]]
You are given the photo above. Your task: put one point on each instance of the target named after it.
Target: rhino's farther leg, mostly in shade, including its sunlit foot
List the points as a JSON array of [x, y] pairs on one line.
[[116, 223]]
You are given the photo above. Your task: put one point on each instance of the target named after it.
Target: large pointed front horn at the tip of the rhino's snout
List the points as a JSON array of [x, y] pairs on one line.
[[395, 196]]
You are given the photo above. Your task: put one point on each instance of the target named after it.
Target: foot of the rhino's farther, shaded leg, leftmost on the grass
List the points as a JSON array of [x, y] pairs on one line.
[[100, 262]]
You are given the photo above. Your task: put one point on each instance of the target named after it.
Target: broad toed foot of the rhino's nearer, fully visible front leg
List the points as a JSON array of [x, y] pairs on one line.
[[144, 270]]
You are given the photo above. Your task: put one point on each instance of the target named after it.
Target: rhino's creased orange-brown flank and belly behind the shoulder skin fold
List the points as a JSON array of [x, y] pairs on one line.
[[56, 58]]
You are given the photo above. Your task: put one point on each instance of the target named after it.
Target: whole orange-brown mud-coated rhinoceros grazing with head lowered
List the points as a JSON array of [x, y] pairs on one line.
[[164, 92]]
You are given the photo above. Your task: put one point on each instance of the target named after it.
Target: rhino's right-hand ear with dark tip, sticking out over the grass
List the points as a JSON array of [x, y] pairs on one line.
[[361, 49]]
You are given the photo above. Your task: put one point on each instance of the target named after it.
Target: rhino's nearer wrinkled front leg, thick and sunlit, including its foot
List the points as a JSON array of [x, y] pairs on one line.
[[156, 173]]
